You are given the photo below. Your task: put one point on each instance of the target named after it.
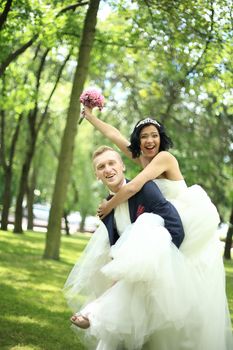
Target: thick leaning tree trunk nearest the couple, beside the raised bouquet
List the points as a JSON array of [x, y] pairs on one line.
[[53, 237]]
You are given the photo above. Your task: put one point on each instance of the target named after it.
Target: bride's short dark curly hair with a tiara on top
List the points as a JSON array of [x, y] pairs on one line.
[[134, 147]]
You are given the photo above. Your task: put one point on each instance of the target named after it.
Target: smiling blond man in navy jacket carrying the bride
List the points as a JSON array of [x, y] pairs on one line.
[[109, 168]]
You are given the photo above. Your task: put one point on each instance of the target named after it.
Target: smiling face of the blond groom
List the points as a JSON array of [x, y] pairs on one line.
[[109, 168]]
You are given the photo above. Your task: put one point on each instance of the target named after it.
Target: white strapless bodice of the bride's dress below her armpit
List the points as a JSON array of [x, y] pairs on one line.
[[171, 189]]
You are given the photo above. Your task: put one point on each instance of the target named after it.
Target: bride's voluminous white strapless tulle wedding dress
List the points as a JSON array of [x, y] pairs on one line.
[[144, 293]]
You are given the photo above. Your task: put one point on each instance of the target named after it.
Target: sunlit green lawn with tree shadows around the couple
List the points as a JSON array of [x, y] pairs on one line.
[[33, 312]]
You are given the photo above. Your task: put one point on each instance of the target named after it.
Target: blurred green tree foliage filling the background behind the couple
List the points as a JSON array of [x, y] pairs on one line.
[[171, 60]]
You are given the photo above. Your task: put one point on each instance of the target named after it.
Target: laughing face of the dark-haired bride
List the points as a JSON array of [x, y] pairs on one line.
[[149, 141]]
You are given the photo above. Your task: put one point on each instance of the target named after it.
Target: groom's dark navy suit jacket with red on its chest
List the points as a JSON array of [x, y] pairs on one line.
[[149, 200]]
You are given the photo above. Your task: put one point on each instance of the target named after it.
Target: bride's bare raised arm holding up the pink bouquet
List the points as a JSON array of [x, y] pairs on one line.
[[110, 132]]
